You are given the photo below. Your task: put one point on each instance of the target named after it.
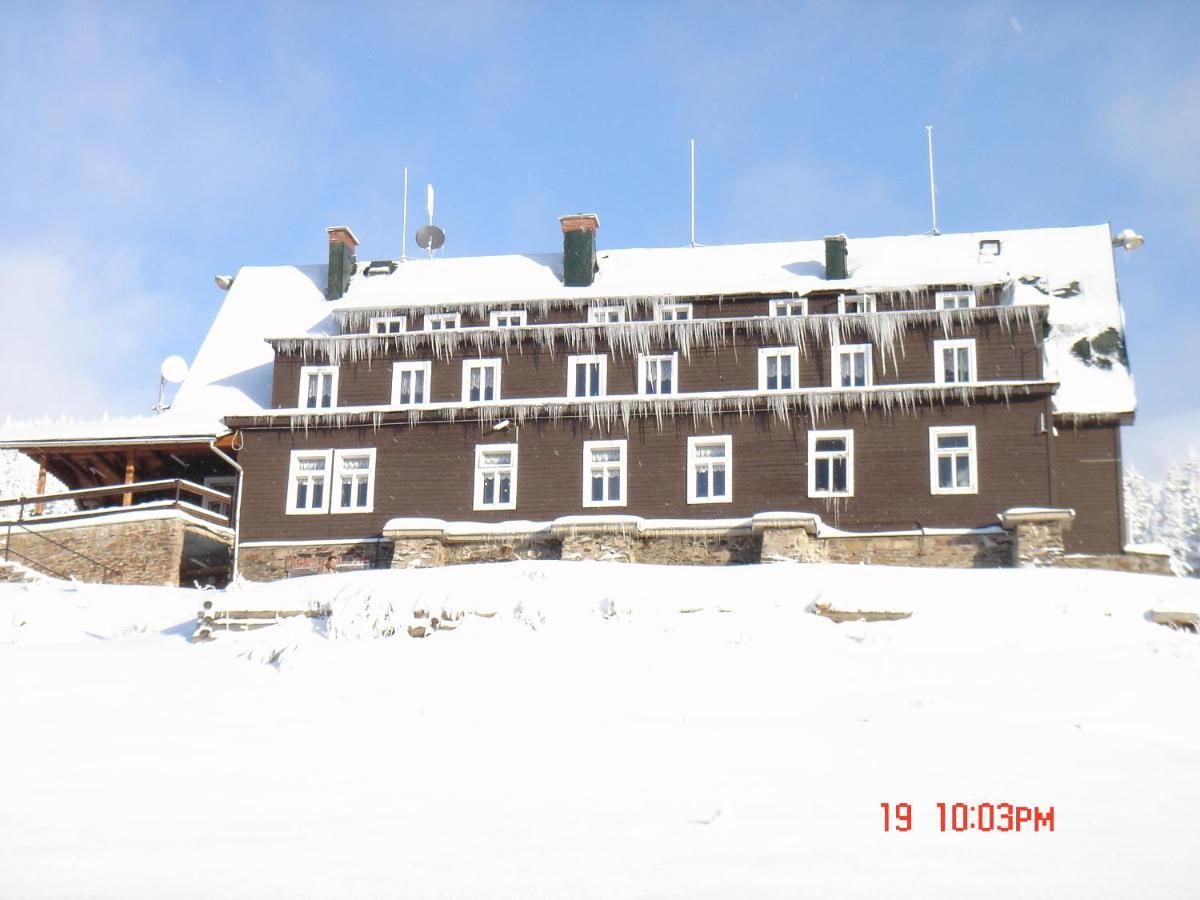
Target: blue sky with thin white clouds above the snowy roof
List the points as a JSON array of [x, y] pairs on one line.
[[151, 147]]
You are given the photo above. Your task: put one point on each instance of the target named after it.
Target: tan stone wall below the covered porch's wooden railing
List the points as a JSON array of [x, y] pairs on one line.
[[146, 551]]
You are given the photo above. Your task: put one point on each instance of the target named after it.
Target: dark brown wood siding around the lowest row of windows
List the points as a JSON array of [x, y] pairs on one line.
[[429, 470]]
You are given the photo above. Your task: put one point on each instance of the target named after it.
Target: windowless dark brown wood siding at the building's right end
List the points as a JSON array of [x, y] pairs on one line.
[[1089, 481]]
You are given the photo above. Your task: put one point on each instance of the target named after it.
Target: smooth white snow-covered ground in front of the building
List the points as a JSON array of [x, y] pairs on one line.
[[611, 731]]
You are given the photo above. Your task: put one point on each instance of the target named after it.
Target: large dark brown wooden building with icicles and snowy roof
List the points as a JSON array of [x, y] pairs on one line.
[[917, 385]]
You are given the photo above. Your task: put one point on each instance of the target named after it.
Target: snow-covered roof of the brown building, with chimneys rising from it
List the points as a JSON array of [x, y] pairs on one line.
[[1071, 269]]
